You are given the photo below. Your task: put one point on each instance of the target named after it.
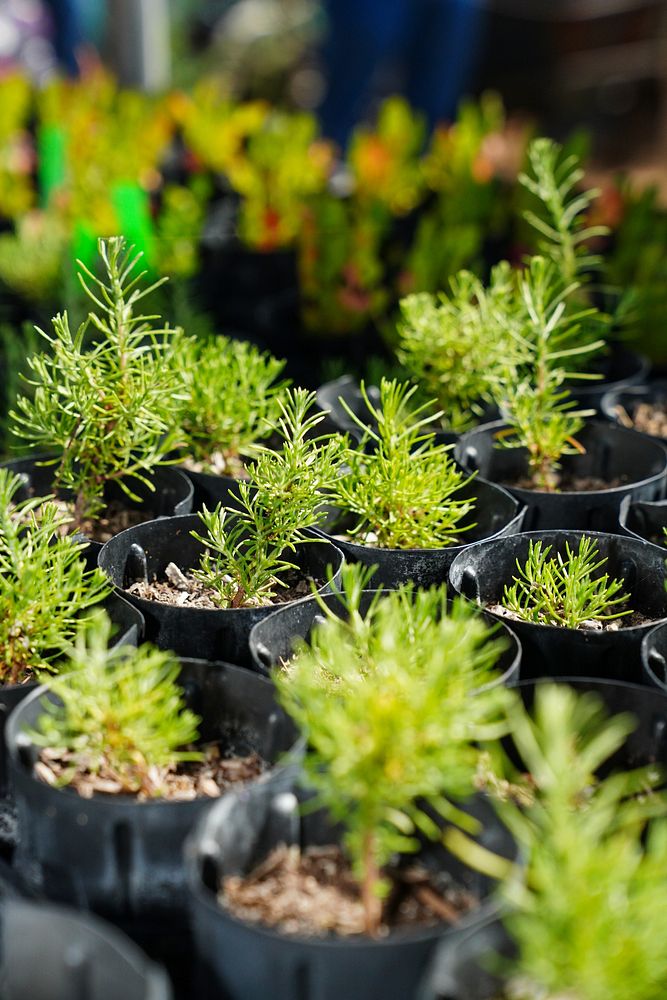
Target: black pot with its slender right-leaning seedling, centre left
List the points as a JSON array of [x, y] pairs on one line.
[[204, 580]]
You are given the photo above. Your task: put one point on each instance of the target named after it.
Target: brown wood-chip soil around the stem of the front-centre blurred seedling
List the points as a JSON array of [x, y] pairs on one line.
[[313, 893]]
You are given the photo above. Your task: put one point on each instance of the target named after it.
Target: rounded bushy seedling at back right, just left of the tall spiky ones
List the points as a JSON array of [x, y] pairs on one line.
[[452, 346]]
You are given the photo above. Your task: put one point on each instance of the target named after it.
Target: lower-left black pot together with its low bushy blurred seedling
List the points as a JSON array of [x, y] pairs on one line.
[[104, 806]]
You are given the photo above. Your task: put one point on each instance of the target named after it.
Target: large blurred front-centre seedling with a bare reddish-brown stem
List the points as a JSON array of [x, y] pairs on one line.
[[391, 745]]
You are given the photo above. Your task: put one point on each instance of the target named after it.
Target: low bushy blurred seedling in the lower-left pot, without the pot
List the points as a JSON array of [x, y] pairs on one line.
[[120, 715]]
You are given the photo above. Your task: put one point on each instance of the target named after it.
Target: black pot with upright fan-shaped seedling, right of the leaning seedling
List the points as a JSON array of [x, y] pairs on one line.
[[402, 504]]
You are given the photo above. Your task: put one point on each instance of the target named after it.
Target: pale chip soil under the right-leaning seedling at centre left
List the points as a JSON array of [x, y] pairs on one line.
[[183, 590]]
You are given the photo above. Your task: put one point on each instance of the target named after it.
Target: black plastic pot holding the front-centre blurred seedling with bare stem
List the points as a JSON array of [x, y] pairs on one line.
[[241, 960]]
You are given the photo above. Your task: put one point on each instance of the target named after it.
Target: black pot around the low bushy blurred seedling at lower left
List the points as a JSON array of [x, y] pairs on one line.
[[111, 854]]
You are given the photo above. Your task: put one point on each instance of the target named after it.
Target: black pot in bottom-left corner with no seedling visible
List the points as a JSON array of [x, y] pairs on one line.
[[80, 957]]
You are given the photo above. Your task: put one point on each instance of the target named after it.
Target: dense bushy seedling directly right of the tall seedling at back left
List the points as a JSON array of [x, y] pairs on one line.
[[232, 400]]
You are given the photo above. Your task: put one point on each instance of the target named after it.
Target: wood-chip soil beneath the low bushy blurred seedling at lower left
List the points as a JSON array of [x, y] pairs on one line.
[[208, 778]]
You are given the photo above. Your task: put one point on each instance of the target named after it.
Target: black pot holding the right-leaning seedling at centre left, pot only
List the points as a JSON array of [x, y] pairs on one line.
[[143, 552]]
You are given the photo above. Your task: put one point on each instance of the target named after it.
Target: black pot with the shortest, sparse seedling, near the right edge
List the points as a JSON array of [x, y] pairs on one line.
[[580, 603]]
